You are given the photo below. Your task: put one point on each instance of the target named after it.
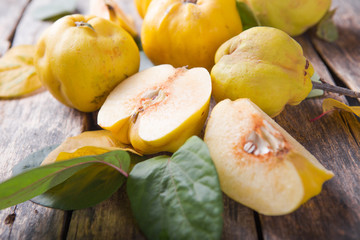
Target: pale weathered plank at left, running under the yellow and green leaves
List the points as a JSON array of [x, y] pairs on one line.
[[27, 125]]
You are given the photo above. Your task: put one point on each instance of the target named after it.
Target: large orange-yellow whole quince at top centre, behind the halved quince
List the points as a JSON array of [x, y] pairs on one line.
[[186, 34]]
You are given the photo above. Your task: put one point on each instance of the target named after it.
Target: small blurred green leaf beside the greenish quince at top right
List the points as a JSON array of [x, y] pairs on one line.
[[326, 28]]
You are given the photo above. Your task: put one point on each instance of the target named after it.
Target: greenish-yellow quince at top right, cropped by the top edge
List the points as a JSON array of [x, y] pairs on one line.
[[293, 17]]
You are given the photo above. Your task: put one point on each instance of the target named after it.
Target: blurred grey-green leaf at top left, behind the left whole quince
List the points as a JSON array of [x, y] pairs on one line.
[[54, 10]]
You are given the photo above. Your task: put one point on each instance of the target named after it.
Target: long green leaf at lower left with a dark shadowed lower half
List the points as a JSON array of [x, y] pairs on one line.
[[85, 180]]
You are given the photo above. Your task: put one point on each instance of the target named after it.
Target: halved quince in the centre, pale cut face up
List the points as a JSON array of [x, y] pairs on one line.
[[159, 108]]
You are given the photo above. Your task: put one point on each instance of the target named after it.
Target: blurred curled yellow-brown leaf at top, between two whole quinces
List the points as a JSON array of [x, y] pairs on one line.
[[110, 10]]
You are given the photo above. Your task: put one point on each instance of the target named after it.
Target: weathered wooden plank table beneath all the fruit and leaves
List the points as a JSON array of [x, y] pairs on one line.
[[31, 123]]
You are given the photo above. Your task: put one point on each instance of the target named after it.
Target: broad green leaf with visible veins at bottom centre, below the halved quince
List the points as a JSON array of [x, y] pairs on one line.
[[177, 197]]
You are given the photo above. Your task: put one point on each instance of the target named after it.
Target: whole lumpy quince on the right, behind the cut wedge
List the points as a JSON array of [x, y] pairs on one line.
[[264, 64]]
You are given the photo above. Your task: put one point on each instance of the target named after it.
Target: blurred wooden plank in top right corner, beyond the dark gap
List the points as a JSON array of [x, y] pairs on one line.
[[343, 56]]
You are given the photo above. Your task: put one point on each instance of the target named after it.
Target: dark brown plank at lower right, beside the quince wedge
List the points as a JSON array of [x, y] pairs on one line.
[[335, 213]]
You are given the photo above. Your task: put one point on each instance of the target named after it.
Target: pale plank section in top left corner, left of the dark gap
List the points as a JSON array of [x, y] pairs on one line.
[[10, 14]]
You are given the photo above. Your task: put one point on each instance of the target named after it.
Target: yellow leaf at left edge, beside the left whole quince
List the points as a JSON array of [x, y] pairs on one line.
[[17, 72]]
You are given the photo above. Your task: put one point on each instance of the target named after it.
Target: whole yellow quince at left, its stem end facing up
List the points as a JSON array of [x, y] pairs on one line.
[[80, 65]]
